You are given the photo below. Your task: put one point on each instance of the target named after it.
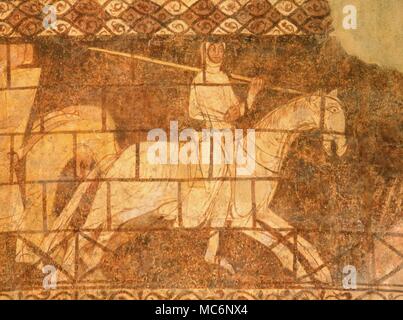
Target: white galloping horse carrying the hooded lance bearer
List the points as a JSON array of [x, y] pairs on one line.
[[124, 202]]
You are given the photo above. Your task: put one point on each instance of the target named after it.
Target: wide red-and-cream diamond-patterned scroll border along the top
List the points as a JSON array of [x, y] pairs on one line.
[[25, 18]]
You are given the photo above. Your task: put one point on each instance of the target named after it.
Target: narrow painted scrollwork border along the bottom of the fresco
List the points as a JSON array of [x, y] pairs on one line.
[[200, 294]]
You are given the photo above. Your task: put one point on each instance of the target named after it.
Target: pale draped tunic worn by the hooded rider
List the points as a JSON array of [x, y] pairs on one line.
[[211, 96]]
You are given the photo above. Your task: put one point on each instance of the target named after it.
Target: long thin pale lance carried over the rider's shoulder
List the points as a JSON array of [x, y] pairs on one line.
[[182, 67]]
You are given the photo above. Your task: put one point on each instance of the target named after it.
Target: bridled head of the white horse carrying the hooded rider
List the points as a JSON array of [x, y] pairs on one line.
[[334, 123]]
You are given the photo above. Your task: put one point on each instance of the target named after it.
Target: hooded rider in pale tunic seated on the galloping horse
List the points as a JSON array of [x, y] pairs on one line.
[[213, 101]]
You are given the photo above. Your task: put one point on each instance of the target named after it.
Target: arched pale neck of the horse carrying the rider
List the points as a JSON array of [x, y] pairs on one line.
[[283, 127]]
